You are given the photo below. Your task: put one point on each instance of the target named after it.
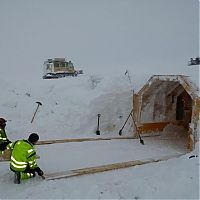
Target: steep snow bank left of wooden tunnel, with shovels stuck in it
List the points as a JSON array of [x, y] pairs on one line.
[[69, 106]]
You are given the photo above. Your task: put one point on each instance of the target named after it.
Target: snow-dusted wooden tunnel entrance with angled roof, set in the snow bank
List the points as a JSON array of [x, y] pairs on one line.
[[168, 99]]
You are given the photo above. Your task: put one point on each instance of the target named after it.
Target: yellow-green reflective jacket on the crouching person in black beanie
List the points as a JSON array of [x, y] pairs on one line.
[[23, 156]]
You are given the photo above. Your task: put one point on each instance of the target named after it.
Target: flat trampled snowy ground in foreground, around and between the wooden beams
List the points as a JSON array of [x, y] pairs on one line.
[[172, 179]]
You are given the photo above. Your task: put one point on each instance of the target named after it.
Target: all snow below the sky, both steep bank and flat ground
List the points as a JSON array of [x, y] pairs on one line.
[[69, 110]]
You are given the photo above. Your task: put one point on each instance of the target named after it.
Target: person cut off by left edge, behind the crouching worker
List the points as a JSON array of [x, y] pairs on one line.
[[5, 143]]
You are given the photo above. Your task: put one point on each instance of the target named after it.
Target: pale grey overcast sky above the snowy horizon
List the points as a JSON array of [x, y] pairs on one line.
[[158, 36]]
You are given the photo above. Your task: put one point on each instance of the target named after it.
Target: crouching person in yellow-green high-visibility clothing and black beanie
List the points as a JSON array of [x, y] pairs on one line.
[[23, 159]]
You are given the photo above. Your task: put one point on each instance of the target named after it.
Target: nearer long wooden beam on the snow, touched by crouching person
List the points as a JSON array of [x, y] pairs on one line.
[[103, 168]]
